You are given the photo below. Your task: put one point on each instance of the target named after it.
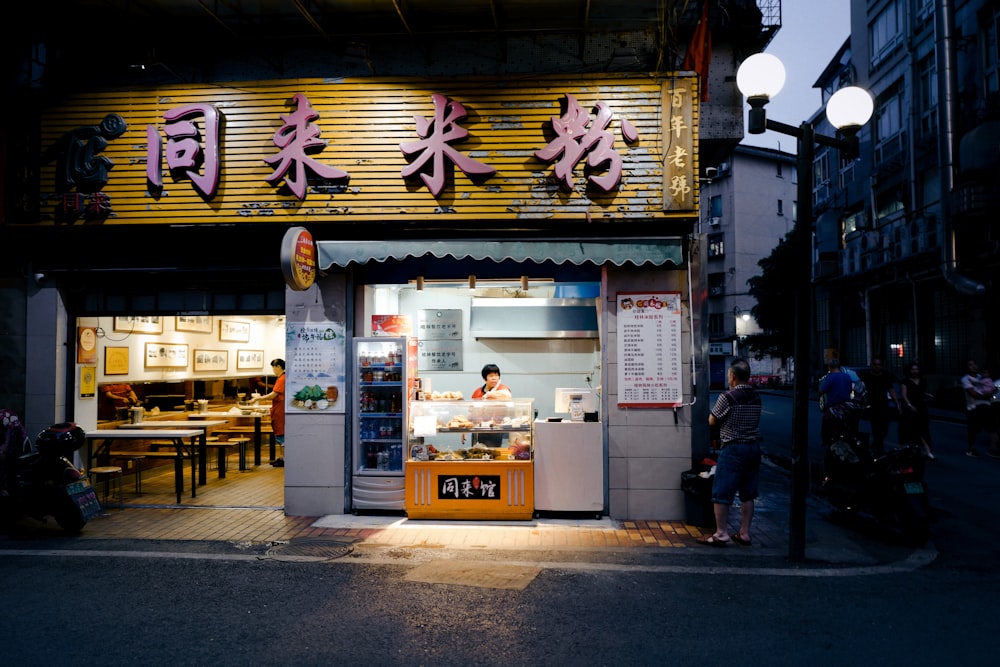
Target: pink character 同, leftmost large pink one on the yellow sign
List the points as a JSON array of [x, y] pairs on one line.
[[183, 151]]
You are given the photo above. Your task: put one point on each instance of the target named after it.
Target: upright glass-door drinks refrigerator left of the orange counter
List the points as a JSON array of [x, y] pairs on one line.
[[379, 424]]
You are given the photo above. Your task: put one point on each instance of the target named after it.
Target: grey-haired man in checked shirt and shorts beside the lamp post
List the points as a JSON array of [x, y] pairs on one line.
[[737, 415]]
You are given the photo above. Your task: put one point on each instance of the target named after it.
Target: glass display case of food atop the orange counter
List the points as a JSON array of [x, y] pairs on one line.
[[456, 430]]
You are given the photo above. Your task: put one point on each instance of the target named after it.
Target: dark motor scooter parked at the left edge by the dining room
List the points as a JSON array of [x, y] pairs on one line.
[[41, 481]]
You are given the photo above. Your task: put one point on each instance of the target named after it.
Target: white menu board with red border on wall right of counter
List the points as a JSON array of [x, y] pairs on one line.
[[649, 349]]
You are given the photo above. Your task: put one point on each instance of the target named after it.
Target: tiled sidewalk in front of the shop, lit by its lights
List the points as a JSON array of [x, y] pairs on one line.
[[217, 517]]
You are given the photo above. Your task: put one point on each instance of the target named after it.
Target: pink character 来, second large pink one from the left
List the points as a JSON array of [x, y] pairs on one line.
[[295, 138]]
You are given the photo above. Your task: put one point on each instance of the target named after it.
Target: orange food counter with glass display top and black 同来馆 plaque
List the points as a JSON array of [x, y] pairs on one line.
[[470, 460]]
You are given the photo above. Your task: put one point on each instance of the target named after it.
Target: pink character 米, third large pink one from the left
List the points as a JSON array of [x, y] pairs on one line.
[[435, 147]]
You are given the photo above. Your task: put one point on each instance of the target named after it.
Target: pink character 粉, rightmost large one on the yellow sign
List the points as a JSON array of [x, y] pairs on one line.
[[574, 139]]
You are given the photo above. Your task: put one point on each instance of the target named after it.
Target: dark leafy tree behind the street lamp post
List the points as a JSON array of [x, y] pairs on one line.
[[774, 293]]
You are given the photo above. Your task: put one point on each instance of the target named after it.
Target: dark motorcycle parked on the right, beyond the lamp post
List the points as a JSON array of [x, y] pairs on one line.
[[888, 489]]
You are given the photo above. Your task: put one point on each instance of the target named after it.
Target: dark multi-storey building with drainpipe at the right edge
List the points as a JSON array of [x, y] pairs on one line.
[[906, 245]]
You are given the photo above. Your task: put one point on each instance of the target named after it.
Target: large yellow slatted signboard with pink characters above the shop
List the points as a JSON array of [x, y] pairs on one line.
[[611, 147]]
